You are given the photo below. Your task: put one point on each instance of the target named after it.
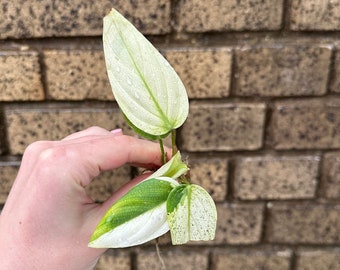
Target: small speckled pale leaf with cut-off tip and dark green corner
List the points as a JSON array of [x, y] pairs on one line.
[[192, 214]]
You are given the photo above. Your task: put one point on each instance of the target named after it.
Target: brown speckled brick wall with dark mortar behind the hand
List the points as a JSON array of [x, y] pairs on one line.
[[263, 134]]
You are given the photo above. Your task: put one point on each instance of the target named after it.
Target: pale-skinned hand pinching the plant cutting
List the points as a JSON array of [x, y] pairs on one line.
[[48, 217]]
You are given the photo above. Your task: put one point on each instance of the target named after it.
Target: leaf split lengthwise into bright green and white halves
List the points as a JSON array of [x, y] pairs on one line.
[[137, 217]]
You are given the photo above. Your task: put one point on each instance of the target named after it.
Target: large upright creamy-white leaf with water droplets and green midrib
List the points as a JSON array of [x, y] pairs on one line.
[[148, 90]]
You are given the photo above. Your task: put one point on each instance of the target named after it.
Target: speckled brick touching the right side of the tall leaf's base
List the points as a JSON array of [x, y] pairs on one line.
[[224, 126]]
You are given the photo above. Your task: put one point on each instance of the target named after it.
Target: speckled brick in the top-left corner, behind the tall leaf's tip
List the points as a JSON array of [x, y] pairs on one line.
[[25, 19]]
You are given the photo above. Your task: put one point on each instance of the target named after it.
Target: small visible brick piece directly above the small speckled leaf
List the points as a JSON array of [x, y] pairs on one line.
[[212, 174]]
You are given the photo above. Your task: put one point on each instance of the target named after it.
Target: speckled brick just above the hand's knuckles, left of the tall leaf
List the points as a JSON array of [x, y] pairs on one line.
[[26, 124]]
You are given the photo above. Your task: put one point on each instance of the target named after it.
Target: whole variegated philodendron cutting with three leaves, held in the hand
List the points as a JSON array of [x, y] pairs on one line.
[[154, 102]]
